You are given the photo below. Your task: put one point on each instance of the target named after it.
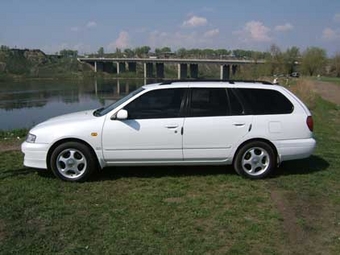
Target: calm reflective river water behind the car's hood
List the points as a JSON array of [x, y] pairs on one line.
[[26, 103]]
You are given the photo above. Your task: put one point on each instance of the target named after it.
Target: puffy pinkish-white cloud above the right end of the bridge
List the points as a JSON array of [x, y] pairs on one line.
[[254, 31]]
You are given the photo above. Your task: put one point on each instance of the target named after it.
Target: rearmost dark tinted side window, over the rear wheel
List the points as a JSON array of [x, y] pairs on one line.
[[265, 101]]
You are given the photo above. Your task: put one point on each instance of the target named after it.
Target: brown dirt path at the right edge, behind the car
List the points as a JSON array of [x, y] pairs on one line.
[[328, 91]]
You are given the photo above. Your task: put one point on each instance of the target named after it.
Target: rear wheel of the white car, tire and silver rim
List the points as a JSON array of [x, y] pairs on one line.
[[255, 160]]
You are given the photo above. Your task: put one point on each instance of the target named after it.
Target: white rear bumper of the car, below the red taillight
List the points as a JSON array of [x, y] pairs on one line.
[[295, 149]]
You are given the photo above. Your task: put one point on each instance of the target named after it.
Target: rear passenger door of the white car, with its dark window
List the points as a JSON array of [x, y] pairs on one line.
[[210, 130]]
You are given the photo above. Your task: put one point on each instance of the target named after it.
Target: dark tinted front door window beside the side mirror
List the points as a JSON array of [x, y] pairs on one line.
[[161, 103]]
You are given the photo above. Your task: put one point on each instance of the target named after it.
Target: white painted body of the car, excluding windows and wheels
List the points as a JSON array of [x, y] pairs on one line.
[[205, 140]]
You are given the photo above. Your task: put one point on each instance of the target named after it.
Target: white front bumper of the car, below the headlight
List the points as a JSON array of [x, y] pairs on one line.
[[35, 155]]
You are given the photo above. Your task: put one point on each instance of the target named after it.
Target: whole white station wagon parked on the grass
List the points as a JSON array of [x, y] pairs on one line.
[[252, 125]]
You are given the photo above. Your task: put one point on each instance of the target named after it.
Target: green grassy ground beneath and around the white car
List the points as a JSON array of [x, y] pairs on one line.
[[178, 210]]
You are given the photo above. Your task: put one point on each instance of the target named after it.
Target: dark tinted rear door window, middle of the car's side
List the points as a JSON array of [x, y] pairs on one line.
[[206, 102]]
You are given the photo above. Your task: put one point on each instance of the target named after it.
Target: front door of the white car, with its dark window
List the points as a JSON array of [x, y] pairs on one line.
[[152, 131]]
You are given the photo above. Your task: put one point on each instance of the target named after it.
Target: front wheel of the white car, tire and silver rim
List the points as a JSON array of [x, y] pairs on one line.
[[73, 162]]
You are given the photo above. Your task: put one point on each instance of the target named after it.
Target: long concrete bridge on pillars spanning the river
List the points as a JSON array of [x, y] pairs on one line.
[[227, 67]]
